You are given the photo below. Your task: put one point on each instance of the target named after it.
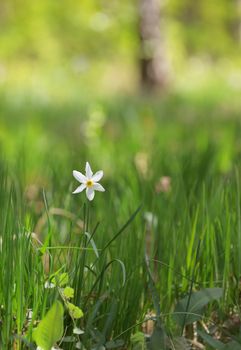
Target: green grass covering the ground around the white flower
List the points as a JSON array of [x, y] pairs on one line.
[[197, 144]]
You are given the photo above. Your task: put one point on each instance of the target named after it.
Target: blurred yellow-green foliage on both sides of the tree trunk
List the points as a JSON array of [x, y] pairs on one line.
[[47, 45]]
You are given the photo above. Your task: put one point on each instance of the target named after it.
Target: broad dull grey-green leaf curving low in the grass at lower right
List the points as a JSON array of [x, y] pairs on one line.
[[197, 303]]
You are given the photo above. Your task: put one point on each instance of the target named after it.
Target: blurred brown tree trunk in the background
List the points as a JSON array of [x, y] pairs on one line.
[[154, 67]]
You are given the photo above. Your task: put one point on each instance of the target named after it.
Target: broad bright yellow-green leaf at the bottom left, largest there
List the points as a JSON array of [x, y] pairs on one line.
[[50, 328]]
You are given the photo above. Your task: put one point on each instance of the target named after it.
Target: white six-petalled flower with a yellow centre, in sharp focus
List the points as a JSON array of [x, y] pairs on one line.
[[88, 181]]
